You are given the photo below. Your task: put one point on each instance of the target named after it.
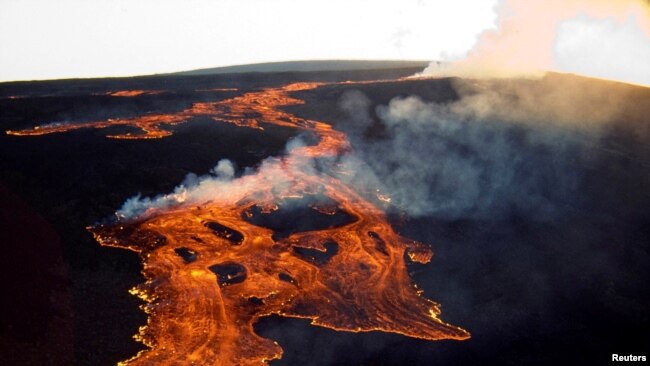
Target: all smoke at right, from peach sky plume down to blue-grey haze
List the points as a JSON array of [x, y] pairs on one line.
[[513, 146]]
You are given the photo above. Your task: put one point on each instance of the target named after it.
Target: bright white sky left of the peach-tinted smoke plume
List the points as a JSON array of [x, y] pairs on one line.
[[91, 38]]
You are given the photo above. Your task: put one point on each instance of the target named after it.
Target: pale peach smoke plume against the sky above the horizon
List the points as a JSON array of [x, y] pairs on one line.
[[606, 39]]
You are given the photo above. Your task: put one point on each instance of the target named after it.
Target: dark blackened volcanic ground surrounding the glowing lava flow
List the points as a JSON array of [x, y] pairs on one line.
[[559, 278]]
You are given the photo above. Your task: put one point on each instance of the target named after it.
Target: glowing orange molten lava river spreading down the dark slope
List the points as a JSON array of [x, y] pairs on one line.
[[284, 240]]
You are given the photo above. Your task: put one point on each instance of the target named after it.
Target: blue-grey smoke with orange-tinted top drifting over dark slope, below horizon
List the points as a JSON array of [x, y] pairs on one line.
[[504, 147]]
